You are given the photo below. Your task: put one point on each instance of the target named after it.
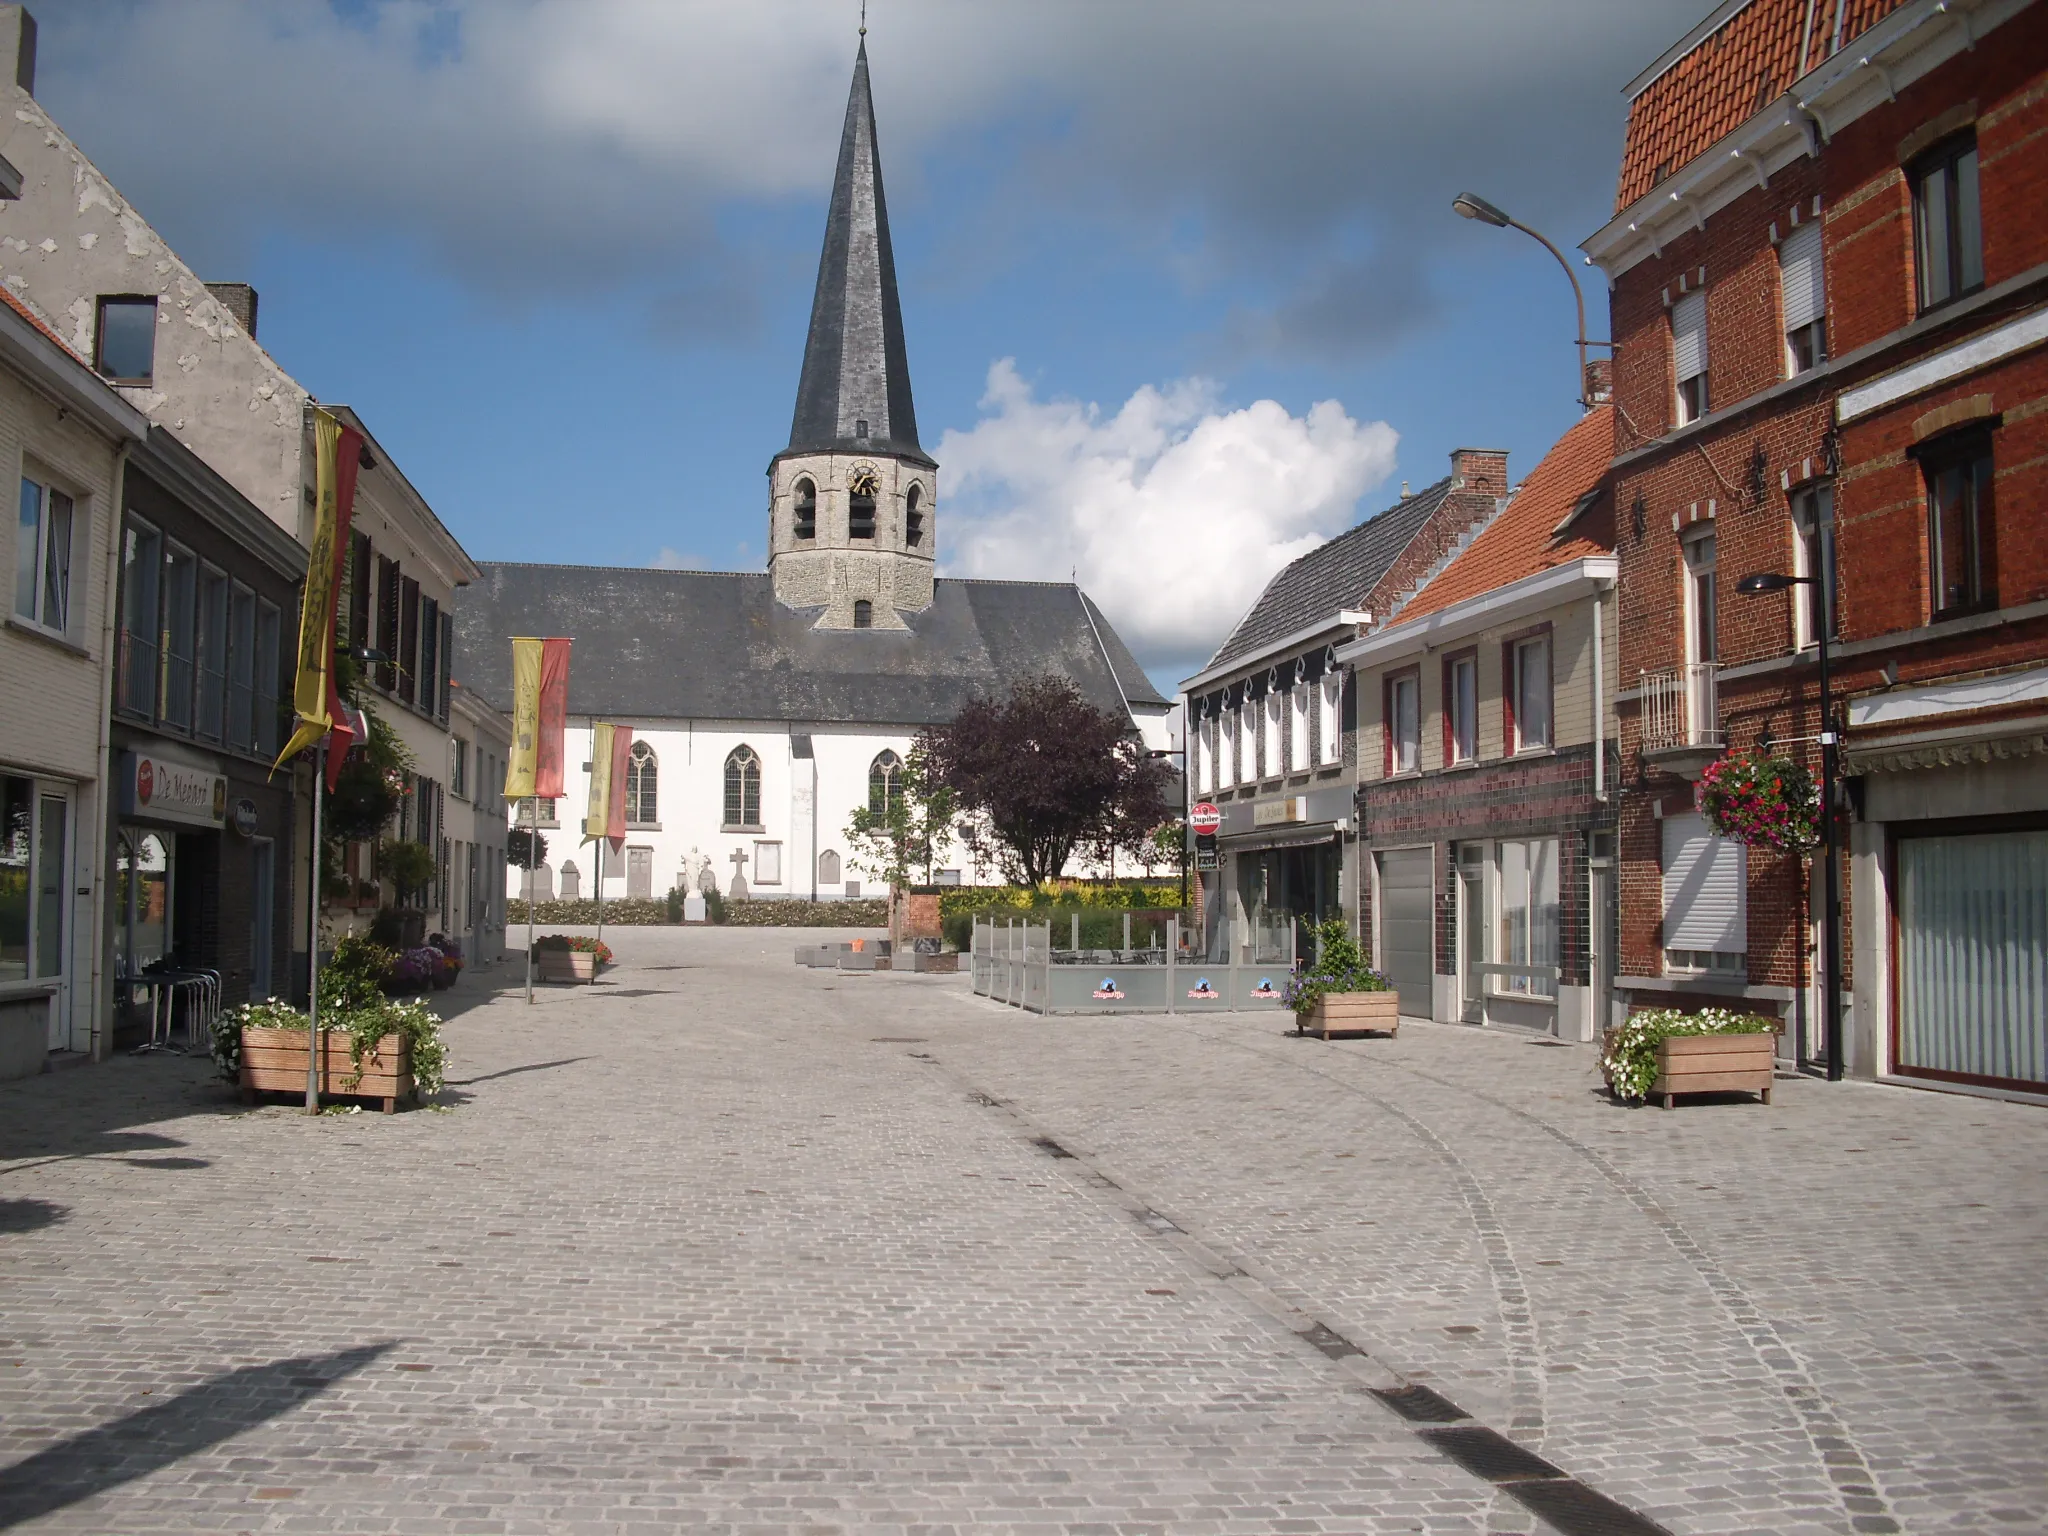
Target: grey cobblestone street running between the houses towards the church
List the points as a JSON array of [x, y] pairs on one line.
[[734, 1246]]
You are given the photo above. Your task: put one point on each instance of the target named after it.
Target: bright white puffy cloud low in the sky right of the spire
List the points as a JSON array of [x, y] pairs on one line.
[[1172, 509]]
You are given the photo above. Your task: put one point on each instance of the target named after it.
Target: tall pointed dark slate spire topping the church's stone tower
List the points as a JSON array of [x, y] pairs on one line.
[[855, 388]]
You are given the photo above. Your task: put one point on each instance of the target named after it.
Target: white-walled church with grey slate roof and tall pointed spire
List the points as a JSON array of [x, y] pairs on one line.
[[767, 708]]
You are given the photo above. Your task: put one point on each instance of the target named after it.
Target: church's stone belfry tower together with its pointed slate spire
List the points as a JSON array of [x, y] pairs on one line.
[[853, 497]]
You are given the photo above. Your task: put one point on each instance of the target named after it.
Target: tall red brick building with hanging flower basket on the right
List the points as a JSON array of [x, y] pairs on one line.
[[1830, 298]]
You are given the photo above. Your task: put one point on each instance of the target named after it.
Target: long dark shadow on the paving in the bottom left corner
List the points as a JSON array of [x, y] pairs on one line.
[[161, 1435]]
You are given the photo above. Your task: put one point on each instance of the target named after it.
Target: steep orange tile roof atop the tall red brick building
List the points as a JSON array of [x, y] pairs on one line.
[[1727, 79]]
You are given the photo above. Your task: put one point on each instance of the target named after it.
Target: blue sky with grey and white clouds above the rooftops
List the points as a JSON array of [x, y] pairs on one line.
[[1181, 280]]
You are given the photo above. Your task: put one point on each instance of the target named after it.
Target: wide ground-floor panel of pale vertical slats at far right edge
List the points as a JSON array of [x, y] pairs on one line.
[[1973, 957]]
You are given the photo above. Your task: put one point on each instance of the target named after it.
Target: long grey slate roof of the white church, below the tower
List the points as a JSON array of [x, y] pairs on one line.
[[718, 646]]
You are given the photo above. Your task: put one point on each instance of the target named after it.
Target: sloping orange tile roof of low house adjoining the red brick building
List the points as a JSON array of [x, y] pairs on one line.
[[1521, 542]]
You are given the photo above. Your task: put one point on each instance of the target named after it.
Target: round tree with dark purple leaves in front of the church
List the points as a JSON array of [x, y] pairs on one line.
[[1046, 775]]
